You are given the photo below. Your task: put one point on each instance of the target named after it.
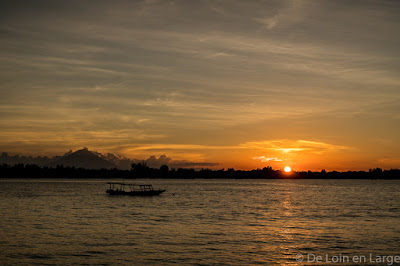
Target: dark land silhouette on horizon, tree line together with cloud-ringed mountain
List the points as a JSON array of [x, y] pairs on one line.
[[87, 164]]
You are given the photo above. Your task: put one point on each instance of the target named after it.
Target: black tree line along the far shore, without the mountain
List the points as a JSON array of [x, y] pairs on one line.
[[141, 170]]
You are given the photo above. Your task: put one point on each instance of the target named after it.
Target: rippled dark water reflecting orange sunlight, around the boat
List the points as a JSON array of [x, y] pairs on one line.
[[238, 222]]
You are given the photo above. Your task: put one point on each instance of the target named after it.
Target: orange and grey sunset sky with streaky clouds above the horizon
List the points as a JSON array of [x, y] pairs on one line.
[[245, 84]]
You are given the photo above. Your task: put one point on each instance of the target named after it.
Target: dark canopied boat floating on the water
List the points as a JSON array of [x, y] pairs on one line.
[[118, 188]]
